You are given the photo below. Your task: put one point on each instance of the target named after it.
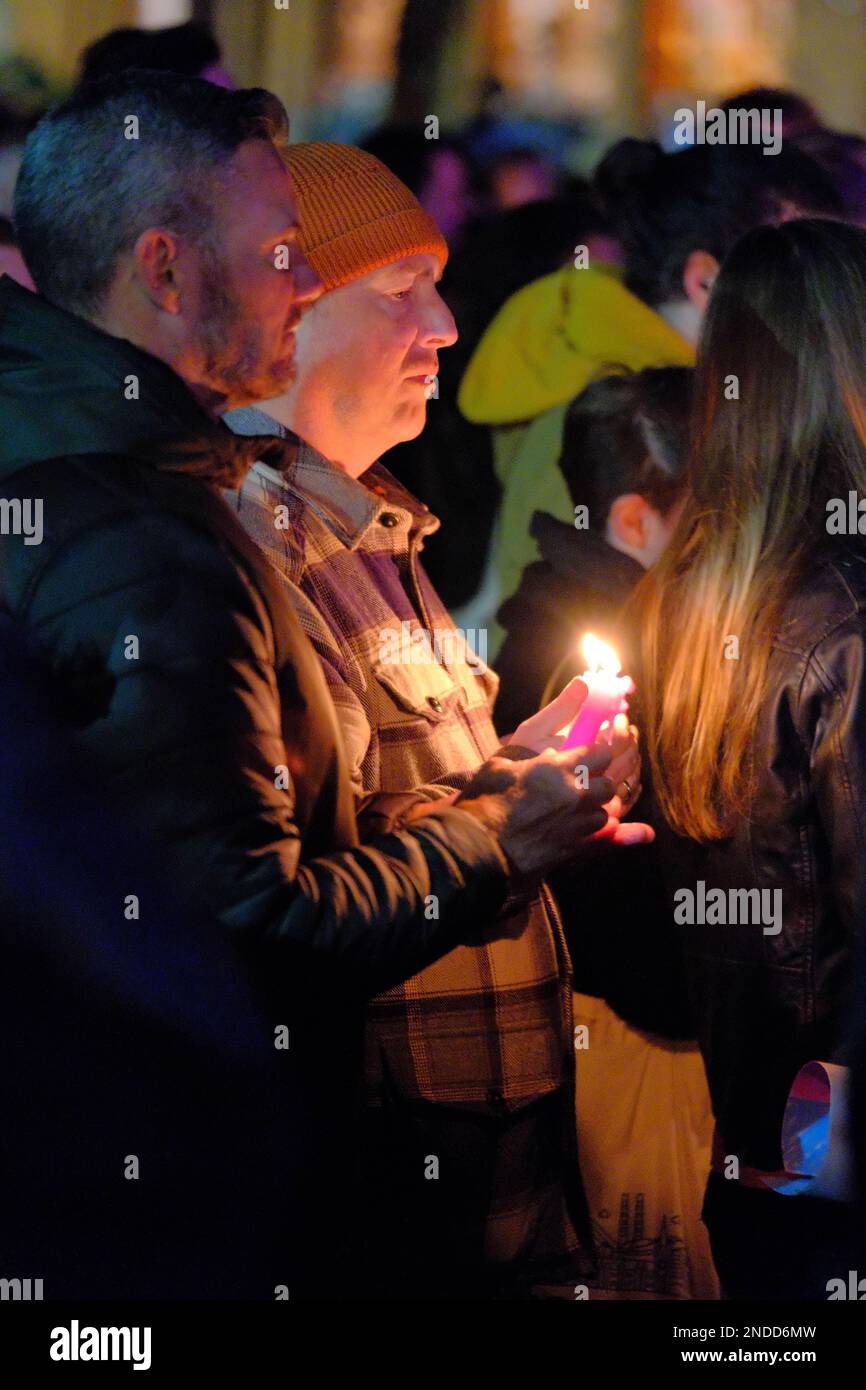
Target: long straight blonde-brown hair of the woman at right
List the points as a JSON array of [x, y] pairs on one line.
[[779, 430]]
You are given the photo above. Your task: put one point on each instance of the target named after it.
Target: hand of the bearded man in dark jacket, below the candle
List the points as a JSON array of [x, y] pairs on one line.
[[541, 815]]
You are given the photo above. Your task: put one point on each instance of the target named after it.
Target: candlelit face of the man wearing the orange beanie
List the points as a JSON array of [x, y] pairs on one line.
[[366, 357]]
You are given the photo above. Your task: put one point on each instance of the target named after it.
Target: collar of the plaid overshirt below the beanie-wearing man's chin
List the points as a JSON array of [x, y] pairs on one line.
[[348, 507]]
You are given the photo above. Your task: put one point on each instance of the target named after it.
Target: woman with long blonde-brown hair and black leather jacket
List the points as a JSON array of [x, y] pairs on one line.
[[754, 687]]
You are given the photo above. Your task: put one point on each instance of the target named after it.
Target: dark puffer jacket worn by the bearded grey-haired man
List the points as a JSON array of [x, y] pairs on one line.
[[177, 664]]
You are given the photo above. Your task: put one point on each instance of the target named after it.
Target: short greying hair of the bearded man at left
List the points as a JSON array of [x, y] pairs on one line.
[[142, 149]]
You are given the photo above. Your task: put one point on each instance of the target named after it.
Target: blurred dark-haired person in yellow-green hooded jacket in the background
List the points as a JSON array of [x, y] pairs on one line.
[[676, 216]]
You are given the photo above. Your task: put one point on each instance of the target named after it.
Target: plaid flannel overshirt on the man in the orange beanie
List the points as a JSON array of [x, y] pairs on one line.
[[490, 1025]]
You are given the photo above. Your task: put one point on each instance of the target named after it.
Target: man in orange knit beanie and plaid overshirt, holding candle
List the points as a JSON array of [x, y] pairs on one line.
[[471, 1184]]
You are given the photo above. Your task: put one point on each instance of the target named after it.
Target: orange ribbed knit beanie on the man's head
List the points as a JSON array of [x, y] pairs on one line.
[[355, 215]]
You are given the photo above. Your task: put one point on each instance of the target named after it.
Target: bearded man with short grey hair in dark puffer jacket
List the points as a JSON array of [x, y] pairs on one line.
[[158, 220]]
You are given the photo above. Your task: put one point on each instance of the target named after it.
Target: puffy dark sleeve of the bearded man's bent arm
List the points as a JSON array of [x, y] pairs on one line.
[[162, 655]]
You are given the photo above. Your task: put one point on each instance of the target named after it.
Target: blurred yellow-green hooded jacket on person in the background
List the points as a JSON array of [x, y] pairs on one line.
[[547, 343]]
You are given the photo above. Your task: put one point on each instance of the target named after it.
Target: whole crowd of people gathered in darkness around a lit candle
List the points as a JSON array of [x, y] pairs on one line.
[[334, 970]]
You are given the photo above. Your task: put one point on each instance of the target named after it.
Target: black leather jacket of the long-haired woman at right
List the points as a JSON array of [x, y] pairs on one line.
[[768, 1000]]
